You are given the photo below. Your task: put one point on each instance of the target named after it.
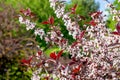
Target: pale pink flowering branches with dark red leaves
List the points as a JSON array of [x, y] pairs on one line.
[[94, 55]]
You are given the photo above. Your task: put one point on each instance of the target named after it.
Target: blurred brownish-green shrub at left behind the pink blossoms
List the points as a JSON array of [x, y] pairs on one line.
[[15, 43]]
